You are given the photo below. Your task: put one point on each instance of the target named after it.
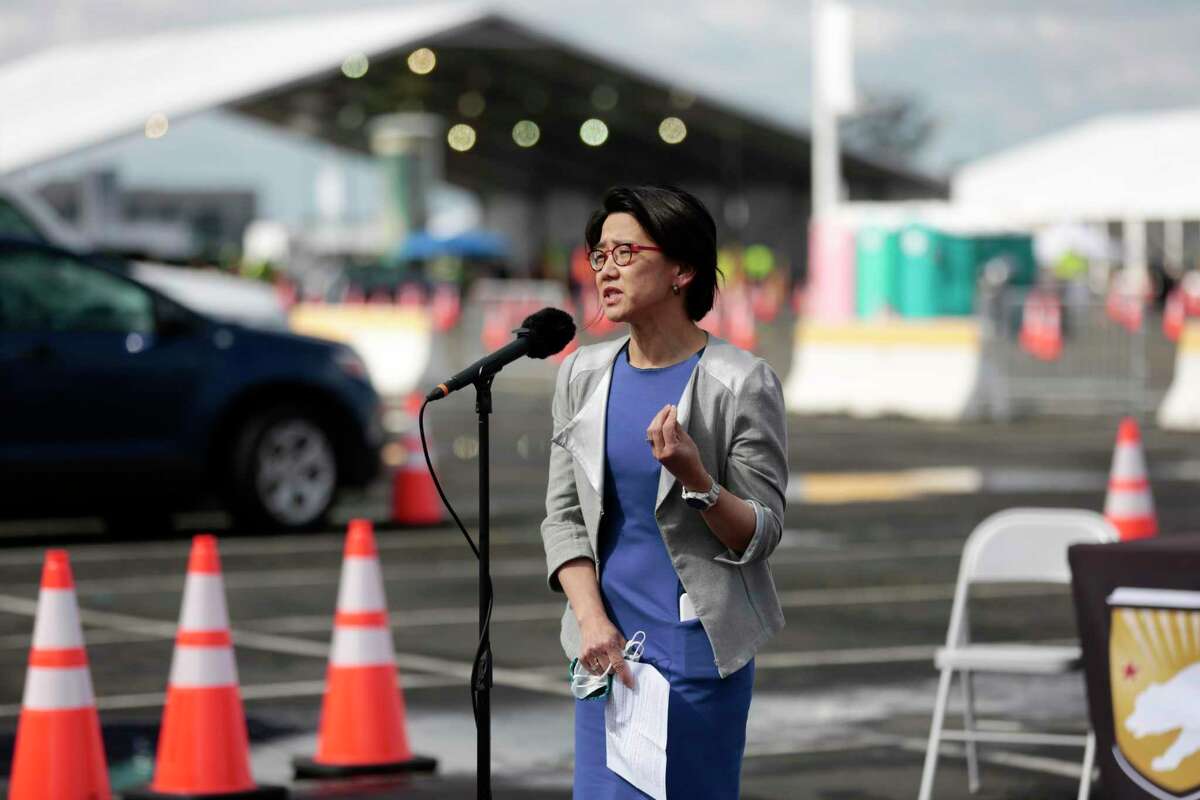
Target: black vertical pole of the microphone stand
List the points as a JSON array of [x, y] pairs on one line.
[[483, 687]]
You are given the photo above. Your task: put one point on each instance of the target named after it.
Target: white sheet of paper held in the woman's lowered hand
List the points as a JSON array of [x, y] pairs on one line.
[[635, 724]]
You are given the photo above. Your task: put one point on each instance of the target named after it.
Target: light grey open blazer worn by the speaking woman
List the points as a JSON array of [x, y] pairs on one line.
[[734, 408]]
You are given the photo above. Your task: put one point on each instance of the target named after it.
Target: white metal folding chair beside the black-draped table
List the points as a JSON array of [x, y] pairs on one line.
[[1015, 546]]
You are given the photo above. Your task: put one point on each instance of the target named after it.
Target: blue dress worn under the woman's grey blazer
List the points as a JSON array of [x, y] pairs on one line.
[[707, 715]]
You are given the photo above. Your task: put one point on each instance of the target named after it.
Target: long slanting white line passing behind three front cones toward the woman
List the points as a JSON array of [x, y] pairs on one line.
[[296, 647]]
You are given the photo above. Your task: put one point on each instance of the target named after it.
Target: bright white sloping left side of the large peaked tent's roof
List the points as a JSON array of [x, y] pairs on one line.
[[74, 97]]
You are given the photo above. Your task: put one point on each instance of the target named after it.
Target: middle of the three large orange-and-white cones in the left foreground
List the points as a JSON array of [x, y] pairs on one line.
[[203, 747]]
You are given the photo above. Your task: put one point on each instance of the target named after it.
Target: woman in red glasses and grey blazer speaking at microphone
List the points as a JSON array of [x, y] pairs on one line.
[[665, 497]]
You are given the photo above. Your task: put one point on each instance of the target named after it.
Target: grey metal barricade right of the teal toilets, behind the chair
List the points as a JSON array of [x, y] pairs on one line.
[[1103, 368]]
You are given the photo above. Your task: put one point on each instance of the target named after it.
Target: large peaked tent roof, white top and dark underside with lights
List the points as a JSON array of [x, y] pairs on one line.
[[289, 71]]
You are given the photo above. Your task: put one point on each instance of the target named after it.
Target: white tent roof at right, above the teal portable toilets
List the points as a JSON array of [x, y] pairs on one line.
[[1125, 167]]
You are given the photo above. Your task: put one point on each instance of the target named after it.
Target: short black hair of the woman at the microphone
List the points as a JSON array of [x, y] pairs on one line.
[[679, 224]]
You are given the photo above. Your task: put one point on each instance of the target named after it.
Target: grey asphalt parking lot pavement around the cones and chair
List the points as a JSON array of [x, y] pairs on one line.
[[878, 515]]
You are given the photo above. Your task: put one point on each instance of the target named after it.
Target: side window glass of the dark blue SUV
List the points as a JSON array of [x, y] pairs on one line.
[[50, 292]]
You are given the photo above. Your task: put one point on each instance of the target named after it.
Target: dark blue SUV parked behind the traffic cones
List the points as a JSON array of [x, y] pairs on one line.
[[116, 400]]
